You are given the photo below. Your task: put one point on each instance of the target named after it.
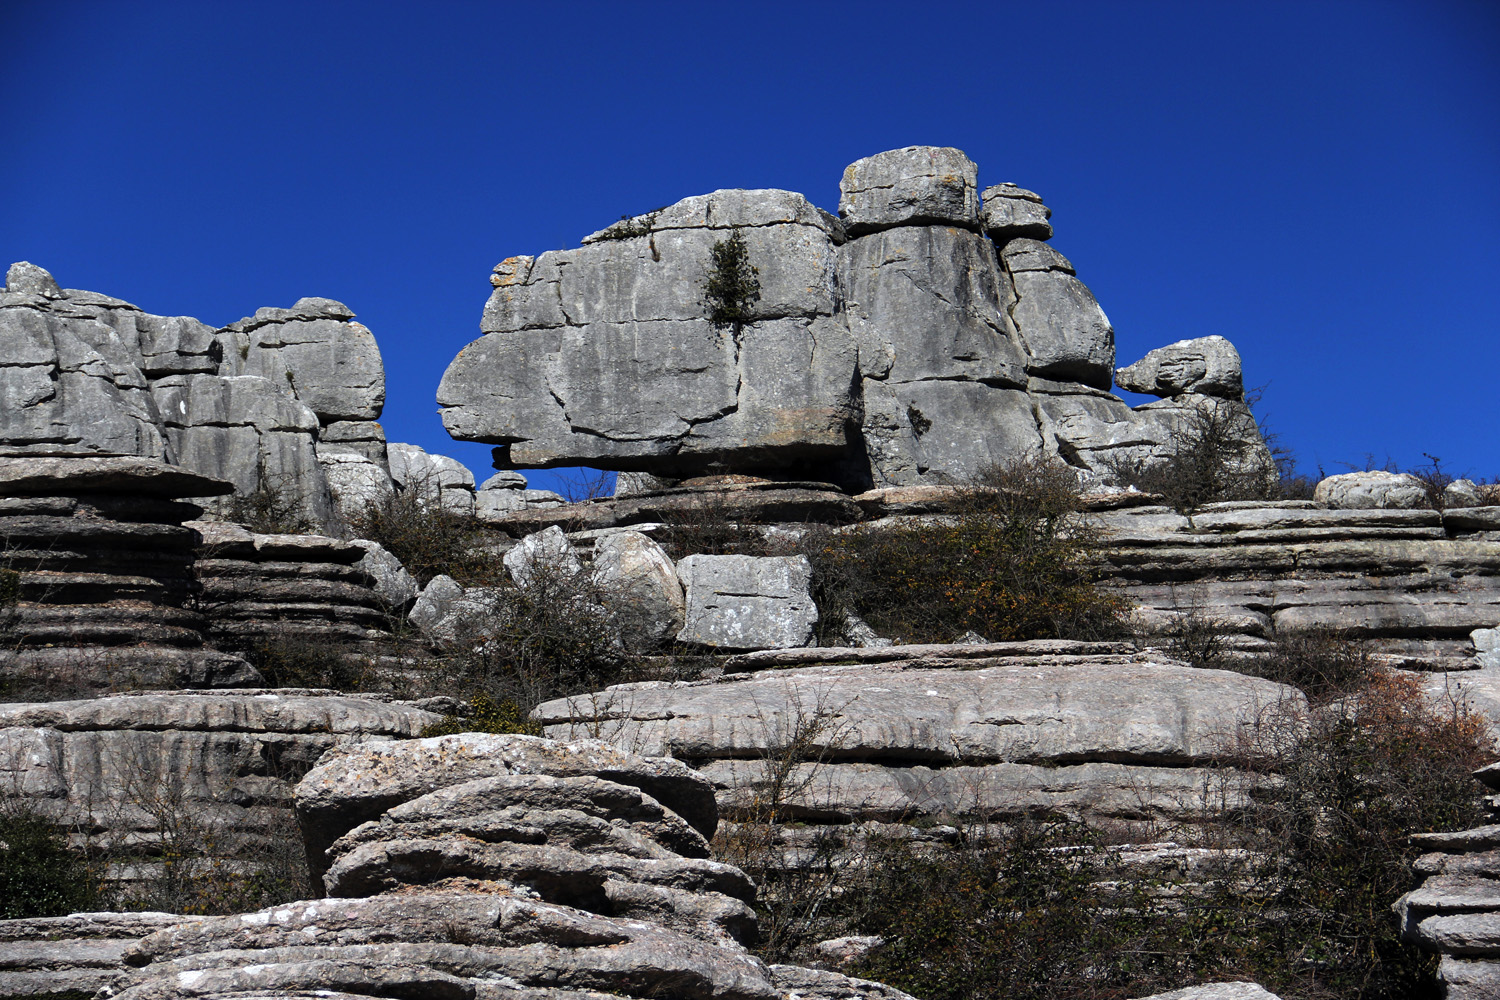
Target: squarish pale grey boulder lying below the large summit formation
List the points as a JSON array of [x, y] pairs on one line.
[[748, 602]]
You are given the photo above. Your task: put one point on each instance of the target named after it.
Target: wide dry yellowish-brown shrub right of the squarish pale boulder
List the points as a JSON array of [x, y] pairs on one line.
[[1016, 560]]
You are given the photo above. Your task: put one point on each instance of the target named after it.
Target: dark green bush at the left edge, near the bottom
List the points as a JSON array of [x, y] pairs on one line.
[[40, 876]]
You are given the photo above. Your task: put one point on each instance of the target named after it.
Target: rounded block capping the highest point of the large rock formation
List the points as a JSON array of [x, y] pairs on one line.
[[917, 185]]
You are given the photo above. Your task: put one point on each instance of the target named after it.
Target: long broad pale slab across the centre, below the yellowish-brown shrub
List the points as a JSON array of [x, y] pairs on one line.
[[910, 734]]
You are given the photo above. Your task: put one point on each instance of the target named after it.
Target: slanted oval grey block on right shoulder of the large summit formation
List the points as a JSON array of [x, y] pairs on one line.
[[1066, 334]]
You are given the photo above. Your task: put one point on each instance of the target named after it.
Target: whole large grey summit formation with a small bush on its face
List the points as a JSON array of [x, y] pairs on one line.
[[919, 338]]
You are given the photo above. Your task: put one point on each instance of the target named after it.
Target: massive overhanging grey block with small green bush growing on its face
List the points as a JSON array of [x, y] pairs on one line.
[[605, 356]]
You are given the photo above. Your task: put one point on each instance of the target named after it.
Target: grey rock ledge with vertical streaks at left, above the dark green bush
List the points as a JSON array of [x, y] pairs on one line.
[[124, 770]]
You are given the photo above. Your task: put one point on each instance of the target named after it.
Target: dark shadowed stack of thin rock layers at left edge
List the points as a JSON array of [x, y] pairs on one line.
[[104, 567]]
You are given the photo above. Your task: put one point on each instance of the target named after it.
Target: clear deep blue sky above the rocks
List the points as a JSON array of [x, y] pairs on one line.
[[1318, 182]]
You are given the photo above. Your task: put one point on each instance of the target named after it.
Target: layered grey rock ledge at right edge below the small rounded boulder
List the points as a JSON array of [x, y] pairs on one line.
[[1417, 584]]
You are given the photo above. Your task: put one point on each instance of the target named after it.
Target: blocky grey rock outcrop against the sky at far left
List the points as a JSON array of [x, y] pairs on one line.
[[257, 404]]
